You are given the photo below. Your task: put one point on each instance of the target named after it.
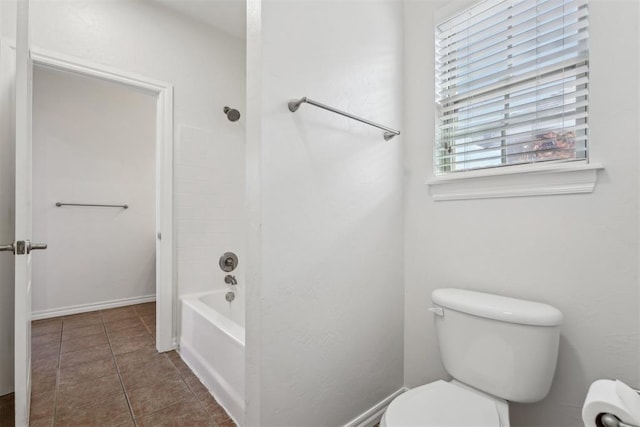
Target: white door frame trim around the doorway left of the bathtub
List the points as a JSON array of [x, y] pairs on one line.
[[166, 279]]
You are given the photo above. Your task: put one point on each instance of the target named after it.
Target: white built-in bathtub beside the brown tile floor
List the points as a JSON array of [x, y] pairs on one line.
[[212, 344]]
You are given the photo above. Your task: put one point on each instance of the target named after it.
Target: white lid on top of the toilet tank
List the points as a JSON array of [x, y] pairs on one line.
[[497, 307]]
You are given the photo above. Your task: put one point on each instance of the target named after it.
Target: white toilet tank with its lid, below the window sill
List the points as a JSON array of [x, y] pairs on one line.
[[503, 346]]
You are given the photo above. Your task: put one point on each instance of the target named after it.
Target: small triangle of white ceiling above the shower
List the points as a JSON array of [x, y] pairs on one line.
[[228, 16]]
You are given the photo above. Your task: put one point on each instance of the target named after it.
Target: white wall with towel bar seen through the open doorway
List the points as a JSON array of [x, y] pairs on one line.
[[93, 142]]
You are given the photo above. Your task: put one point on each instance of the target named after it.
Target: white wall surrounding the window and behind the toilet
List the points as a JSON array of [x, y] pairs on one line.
[[577, 252]]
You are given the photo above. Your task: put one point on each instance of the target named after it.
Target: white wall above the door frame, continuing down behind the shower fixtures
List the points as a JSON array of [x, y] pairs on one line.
[[206, 68]]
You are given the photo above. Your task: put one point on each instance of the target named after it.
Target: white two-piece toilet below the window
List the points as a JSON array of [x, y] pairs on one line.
[[496, 349]]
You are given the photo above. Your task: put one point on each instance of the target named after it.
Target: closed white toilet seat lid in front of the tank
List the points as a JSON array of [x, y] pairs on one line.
[[442, 404]]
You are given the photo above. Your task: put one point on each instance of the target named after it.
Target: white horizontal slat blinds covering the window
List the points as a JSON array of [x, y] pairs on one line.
[[512, 84]]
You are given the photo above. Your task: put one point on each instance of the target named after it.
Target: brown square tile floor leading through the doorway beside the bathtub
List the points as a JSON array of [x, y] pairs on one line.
[[102, 369]]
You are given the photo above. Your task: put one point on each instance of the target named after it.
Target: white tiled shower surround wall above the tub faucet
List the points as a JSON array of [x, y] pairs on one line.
[[210, 175]]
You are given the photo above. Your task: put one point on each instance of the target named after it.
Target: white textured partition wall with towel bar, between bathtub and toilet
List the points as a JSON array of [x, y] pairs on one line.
[[328, 330]]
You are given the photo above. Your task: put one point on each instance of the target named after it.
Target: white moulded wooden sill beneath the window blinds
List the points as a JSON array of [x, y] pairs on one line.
[[516, 181]]
